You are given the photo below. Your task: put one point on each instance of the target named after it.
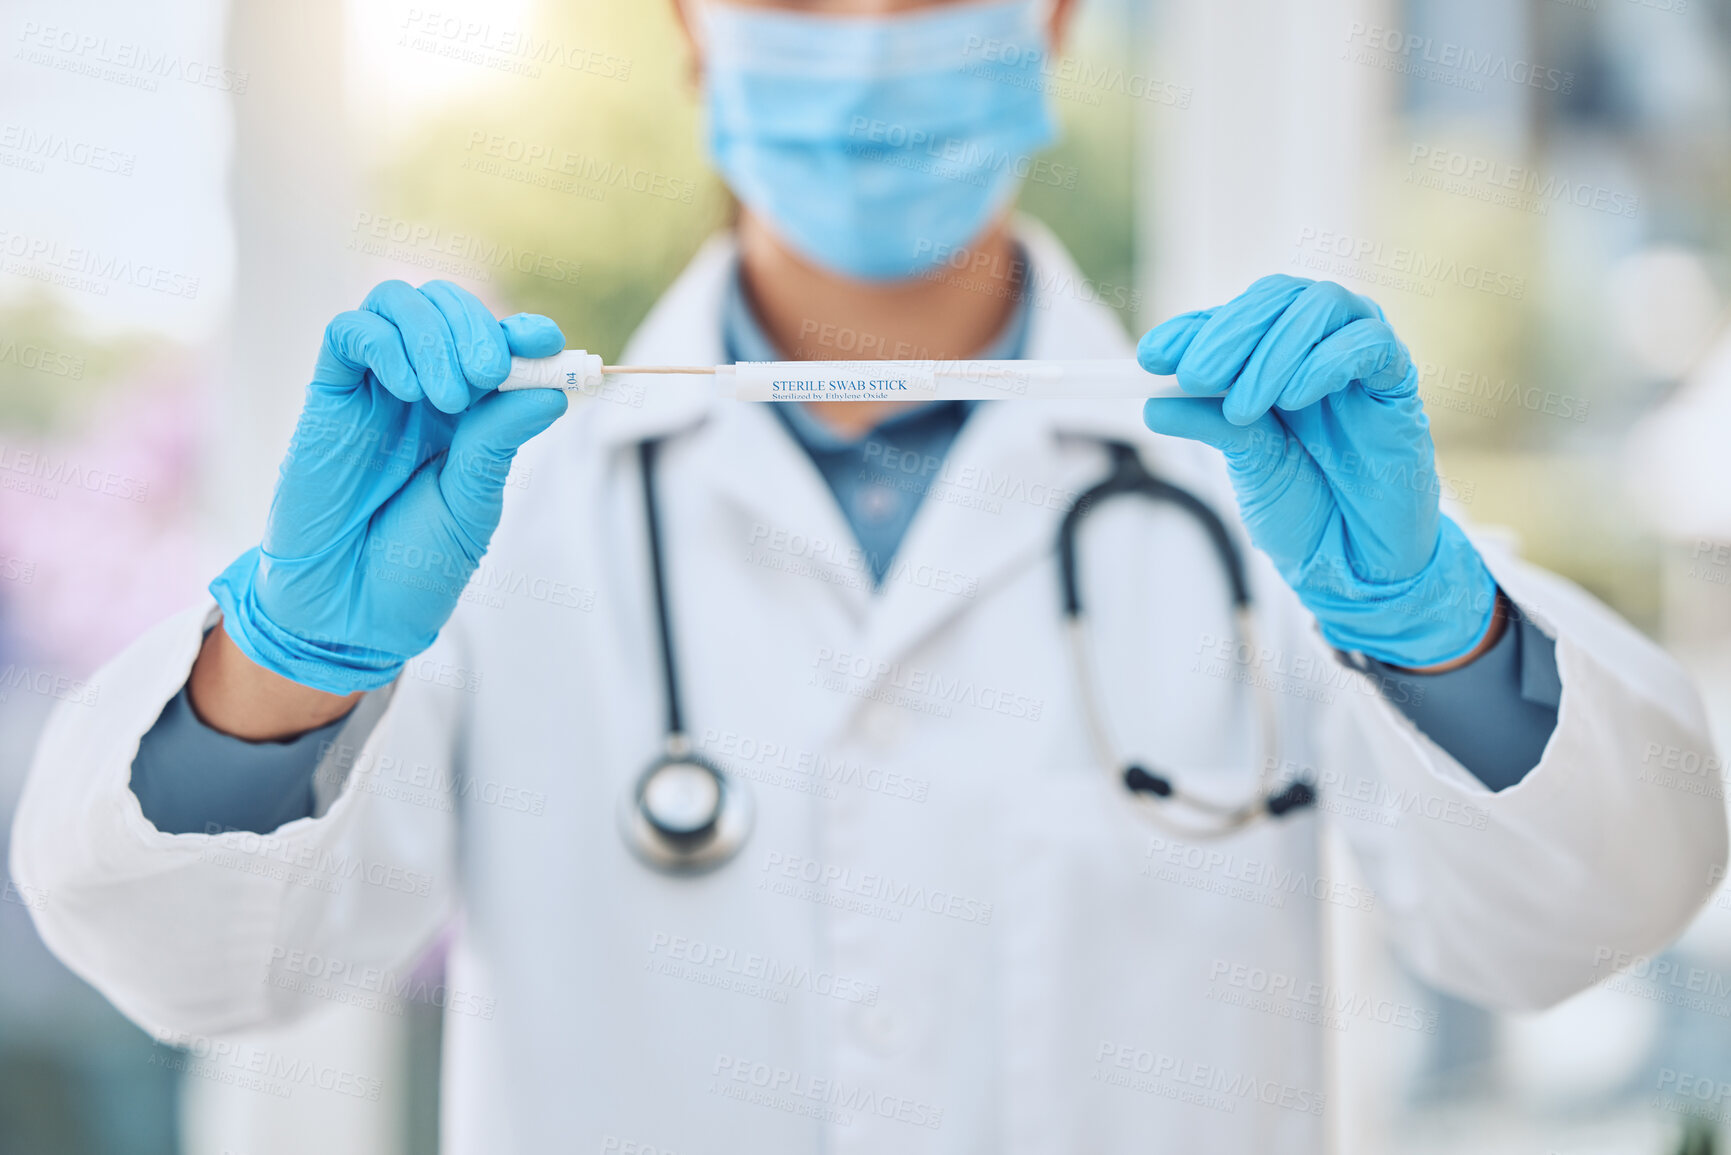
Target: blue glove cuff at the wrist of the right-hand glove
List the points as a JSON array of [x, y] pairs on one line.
[[1434, 617]]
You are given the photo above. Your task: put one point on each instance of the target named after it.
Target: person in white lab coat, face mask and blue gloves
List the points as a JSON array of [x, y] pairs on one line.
[[951, 927]]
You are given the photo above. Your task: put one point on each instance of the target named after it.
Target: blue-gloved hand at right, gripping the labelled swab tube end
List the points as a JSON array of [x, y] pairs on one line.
[[1315, 403]]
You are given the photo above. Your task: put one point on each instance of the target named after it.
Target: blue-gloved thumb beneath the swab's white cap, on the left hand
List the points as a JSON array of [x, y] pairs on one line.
[[487, 439]]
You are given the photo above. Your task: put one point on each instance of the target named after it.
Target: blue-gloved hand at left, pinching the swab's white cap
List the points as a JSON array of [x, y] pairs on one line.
[[392, 487]]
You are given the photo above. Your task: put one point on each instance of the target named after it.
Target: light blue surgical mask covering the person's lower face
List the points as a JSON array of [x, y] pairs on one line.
[[877, 146]]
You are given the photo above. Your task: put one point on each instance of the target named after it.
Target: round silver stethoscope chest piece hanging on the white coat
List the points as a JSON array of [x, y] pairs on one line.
[[685, 815]]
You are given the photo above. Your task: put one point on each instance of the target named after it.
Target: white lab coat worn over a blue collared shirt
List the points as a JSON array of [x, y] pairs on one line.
[[951, 931]]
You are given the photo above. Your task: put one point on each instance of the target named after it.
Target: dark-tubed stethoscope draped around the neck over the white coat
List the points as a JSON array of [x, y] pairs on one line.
[[685, 815]]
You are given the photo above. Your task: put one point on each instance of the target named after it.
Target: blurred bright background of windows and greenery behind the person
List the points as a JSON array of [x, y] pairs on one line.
[[1536, 191]]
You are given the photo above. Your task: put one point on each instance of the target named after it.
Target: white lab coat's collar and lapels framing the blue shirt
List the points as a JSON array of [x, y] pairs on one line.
[[1003, 487]]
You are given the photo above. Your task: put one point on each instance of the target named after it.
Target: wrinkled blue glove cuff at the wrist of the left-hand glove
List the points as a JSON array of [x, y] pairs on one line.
[[331, 666]]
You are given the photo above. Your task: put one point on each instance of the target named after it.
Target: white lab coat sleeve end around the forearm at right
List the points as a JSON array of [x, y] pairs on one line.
[[1519, 898]]
